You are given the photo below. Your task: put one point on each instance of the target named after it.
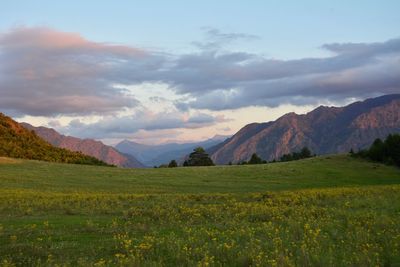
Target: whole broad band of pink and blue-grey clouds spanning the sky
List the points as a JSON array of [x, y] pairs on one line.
[[56, 73]]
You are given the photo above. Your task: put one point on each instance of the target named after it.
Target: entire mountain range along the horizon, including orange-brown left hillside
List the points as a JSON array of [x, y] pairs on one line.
[[324, 130]]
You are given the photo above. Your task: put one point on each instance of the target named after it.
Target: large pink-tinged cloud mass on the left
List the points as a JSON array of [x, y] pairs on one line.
[[47, 72]]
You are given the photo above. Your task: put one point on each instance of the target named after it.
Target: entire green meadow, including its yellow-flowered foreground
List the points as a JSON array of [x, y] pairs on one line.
[[324, 211]]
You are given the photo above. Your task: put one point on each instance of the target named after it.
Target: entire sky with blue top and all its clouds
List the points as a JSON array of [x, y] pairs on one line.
[[161, 71]]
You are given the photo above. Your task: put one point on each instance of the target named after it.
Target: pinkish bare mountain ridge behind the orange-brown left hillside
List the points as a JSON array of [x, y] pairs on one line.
[[87, 146]]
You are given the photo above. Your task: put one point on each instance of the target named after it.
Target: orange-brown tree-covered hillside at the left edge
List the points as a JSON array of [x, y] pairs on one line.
[[18, 142]]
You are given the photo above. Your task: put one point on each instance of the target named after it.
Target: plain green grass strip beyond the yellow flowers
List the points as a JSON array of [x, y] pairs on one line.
[[320, 172]]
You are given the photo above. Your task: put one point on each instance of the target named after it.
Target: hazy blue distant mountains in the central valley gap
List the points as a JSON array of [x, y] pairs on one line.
[[154, 155]]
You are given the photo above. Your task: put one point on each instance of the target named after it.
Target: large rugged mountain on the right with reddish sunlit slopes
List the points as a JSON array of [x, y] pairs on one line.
[[324, 130]]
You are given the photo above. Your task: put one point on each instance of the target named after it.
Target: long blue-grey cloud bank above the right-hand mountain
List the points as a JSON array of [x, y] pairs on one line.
[[232, 80]]
